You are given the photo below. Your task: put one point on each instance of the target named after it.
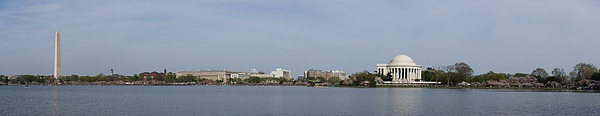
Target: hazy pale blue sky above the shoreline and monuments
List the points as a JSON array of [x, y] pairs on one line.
[[131, 36]]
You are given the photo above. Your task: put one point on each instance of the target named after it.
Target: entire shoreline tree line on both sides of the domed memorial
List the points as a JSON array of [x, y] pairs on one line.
[[583, 76]]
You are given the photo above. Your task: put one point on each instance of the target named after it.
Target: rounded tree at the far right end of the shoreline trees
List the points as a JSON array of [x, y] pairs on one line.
[[583, 71]]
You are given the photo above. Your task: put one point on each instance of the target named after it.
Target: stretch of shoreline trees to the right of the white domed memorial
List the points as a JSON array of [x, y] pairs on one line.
[[583, 75]]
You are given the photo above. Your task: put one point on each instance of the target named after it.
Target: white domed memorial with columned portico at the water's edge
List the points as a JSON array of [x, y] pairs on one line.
[[402, 69]]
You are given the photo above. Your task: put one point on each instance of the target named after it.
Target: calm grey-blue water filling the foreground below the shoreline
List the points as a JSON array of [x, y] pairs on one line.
[[275, 100]]
